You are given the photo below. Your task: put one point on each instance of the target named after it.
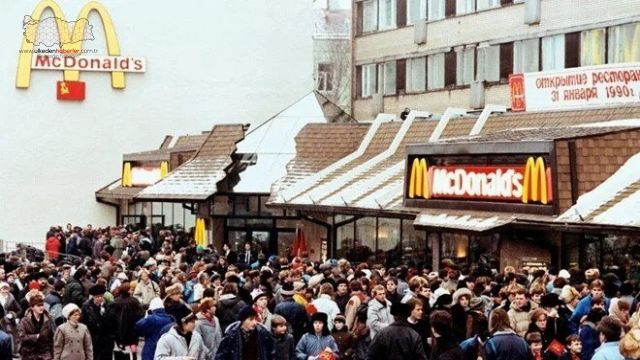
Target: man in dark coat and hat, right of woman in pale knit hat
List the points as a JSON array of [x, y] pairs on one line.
[[93, 315]]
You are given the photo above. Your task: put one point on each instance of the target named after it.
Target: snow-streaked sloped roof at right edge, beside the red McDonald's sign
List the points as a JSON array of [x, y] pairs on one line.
[[614, 202]]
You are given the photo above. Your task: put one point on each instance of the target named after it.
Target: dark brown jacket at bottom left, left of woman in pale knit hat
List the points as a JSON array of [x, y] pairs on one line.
[[36, 344]]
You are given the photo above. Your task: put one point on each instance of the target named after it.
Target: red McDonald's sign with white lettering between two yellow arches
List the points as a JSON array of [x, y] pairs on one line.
[[528, 183]]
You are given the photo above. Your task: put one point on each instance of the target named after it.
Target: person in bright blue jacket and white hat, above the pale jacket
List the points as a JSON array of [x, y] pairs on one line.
[[151, 326]]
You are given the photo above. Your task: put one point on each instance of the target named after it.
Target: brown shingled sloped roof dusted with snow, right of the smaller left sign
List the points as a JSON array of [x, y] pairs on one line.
[[197, 179]]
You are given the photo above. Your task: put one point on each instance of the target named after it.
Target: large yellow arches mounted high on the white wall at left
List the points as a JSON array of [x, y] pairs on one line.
[[67, 40]]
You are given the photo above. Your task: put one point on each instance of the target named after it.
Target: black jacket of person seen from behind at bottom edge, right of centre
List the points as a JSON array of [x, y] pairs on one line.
[[397, 341]]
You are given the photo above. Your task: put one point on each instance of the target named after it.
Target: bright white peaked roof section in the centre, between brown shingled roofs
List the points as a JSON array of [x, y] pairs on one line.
[[273, 142]]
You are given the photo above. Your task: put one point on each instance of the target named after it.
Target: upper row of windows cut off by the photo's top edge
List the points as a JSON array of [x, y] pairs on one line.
[[375, 15]]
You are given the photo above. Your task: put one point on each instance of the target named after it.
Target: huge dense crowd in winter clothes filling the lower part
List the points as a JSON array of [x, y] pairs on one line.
[[100, 293]]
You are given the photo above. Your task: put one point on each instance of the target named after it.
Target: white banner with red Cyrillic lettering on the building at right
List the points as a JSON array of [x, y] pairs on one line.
[[576, 88]]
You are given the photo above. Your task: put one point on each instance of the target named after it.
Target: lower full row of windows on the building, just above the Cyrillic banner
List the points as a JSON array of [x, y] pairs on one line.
[[494, 63]]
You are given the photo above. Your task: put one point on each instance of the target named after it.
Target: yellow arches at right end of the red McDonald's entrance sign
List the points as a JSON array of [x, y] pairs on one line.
[[537, 182]]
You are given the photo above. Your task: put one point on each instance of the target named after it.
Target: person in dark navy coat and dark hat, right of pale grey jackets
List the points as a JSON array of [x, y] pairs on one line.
[[245, 339]]
